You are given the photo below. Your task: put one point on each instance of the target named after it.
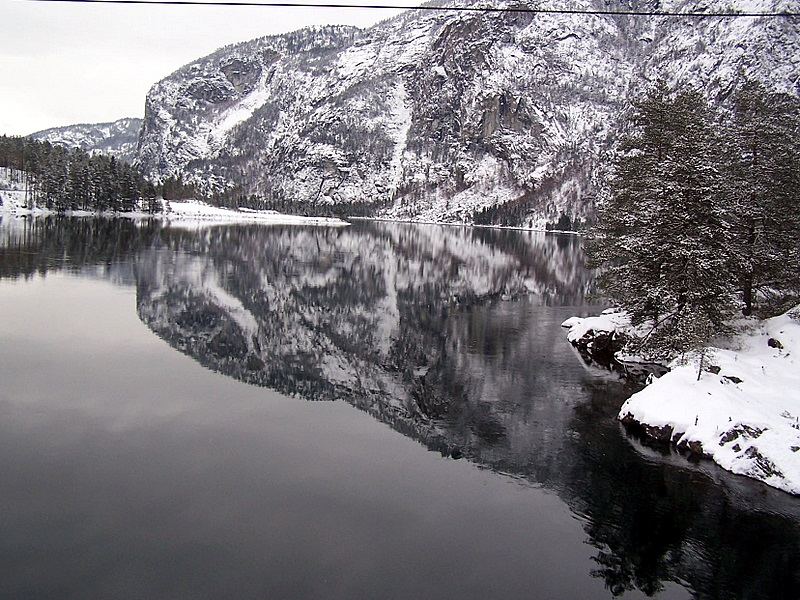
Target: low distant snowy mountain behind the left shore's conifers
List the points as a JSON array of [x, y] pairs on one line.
[[118, 139]]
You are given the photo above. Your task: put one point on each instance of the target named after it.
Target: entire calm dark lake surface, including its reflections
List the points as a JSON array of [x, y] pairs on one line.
[[415, 426]]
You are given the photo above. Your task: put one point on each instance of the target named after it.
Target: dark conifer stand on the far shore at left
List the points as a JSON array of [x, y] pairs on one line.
[[60, 179]]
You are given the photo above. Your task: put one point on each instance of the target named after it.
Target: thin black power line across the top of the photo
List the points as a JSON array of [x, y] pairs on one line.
[[478, 9]]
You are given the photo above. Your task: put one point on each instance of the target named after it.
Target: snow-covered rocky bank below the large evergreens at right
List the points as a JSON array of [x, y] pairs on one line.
[[738, 403]]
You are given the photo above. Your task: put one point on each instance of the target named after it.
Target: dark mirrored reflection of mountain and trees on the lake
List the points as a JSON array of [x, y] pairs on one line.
[[451, 336]]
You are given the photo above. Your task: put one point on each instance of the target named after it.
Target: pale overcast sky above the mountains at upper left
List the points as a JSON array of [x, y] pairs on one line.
[[62, 64]]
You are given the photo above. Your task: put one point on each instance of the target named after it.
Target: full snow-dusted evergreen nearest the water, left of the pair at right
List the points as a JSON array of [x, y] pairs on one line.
[[661, 236]]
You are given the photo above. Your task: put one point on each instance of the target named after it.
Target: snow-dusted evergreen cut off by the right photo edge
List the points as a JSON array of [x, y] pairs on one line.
[[762, 156]]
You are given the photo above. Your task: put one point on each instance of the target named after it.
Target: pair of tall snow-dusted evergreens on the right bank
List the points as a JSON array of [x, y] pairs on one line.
[[700, 216]]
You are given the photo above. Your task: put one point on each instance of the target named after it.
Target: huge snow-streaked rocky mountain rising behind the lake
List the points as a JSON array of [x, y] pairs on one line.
[[445, 116]]
